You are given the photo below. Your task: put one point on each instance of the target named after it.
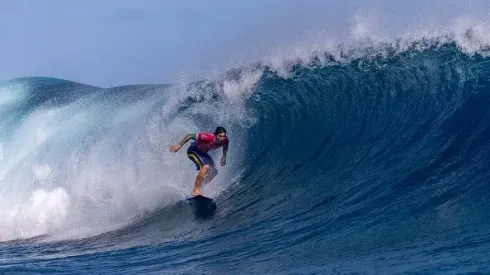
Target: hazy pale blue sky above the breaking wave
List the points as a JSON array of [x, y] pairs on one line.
[[116, 42]]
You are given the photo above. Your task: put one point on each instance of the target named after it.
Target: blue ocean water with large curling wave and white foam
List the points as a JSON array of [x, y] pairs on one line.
[[375, 163]]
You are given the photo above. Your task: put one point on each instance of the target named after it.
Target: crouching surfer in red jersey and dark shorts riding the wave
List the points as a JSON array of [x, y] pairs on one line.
[[198, 153]]
